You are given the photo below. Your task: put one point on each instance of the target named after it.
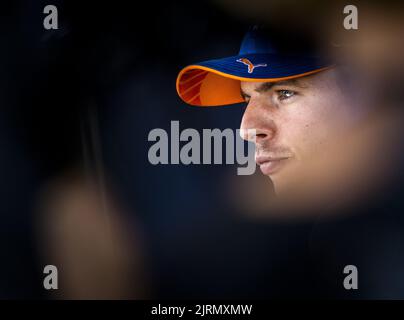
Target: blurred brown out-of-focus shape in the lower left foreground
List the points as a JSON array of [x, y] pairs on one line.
[[88, 240]]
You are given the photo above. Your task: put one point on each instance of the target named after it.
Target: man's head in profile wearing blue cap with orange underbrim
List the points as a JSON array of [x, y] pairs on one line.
[[295, 102]]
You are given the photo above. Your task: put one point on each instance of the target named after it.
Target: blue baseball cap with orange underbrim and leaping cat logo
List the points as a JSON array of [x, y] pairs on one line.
[[217, 82]]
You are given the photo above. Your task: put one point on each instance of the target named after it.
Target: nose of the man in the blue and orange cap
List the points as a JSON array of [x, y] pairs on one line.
[[257, 125]]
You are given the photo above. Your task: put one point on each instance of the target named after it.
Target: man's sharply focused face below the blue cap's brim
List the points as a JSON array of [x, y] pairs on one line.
[[295, 121]]
